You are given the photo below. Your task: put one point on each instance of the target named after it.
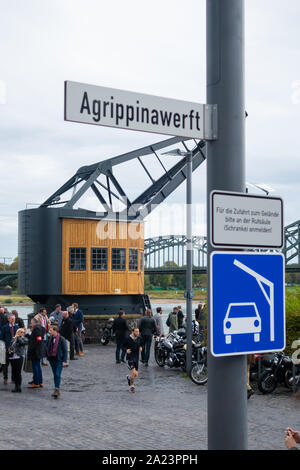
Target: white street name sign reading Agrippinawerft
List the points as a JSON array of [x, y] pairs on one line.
[[102, 106]]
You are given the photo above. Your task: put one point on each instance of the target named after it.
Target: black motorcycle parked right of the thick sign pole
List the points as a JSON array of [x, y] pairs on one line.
[[277, 369]]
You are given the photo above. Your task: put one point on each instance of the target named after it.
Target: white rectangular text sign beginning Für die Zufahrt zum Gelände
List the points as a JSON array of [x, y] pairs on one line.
[[241, 220]]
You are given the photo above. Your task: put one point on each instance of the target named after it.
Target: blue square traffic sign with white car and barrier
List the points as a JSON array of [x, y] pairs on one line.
[[247, 303]]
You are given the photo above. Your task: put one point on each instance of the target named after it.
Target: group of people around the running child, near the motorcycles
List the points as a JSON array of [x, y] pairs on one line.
[[129, 345]]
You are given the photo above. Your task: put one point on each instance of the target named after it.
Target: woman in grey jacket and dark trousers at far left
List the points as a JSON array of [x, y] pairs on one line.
[[16, 357]]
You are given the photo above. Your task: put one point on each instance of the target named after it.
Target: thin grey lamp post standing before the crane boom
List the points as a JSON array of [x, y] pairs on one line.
[[189, 252]]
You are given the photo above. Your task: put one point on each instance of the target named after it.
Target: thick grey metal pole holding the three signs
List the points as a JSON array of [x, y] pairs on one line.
[[227, 379]]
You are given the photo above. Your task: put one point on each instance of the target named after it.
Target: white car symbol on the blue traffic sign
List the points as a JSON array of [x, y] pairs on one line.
[[242, 318]]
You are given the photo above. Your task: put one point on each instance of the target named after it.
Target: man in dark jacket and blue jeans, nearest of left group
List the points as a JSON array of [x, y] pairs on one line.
[[57, 354]]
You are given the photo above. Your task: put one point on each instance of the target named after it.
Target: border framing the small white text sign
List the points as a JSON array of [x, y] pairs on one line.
[[237, 246]]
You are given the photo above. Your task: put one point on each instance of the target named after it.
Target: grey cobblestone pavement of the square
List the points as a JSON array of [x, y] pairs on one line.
[[96, 410]]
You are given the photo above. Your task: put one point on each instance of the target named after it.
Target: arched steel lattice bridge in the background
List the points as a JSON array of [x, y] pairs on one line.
[[167, 254]]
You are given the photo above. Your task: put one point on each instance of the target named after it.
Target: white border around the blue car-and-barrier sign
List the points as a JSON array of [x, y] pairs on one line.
[[238, 253]]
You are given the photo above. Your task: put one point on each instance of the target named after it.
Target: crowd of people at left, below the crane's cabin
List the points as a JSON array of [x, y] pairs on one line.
[[53, 340]]
